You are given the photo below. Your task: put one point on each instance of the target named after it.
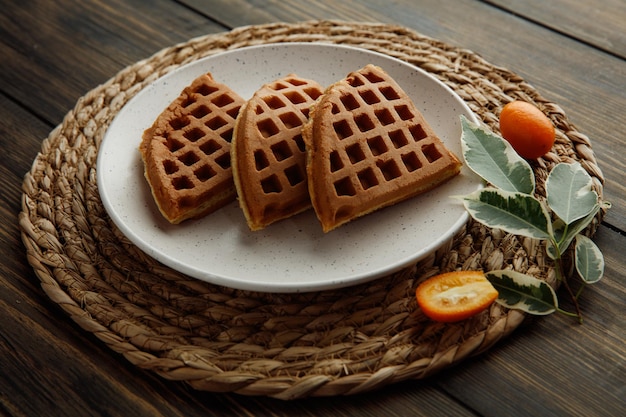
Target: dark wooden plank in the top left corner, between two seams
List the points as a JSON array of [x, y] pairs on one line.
[[80, 44]]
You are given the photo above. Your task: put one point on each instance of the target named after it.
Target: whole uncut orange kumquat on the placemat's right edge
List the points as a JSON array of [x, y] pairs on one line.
[[527, 129]]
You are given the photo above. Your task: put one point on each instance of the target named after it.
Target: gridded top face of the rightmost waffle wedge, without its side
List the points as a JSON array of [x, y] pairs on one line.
[[390, 148]]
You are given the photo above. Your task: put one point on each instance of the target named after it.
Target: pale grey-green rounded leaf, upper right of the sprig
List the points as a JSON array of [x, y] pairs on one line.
[[569, 192]]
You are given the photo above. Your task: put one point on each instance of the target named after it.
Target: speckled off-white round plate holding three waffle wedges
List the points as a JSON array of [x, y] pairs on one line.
[[292, 255]]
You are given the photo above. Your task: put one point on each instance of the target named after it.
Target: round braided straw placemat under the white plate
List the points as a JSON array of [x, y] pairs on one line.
[[287, 346]]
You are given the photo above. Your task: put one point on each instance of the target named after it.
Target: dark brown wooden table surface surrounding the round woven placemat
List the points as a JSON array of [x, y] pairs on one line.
[[573, 52]]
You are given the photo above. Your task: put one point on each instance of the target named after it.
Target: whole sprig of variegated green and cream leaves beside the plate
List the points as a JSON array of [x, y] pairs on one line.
[[509, 203]]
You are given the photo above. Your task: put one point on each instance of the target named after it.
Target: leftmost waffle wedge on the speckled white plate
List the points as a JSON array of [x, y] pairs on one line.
[[186, 152]]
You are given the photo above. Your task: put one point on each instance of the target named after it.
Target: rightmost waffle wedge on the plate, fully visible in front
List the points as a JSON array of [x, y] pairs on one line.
[[369, 147]]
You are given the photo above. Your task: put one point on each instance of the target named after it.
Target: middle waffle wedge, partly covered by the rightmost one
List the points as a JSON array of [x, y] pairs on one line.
[[268, 155]]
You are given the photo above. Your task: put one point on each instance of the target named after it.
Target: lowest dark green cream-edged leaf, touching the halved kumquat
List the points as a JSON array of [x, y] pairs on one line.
[[523, 292]]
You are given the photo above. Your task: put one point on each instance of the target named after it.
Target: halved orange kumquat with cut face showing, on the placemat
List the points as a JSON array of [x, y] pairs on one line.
[[455, 296]]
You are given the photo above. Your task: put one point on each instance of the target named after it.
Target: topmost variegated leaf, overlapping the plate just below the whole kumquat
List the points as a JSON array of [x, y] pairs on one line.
[[495, 160]]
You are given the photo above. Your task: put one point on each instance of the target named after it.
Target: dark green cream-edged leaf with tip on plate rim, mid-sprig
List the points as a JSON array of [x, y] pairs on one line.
[[515, 213]]
